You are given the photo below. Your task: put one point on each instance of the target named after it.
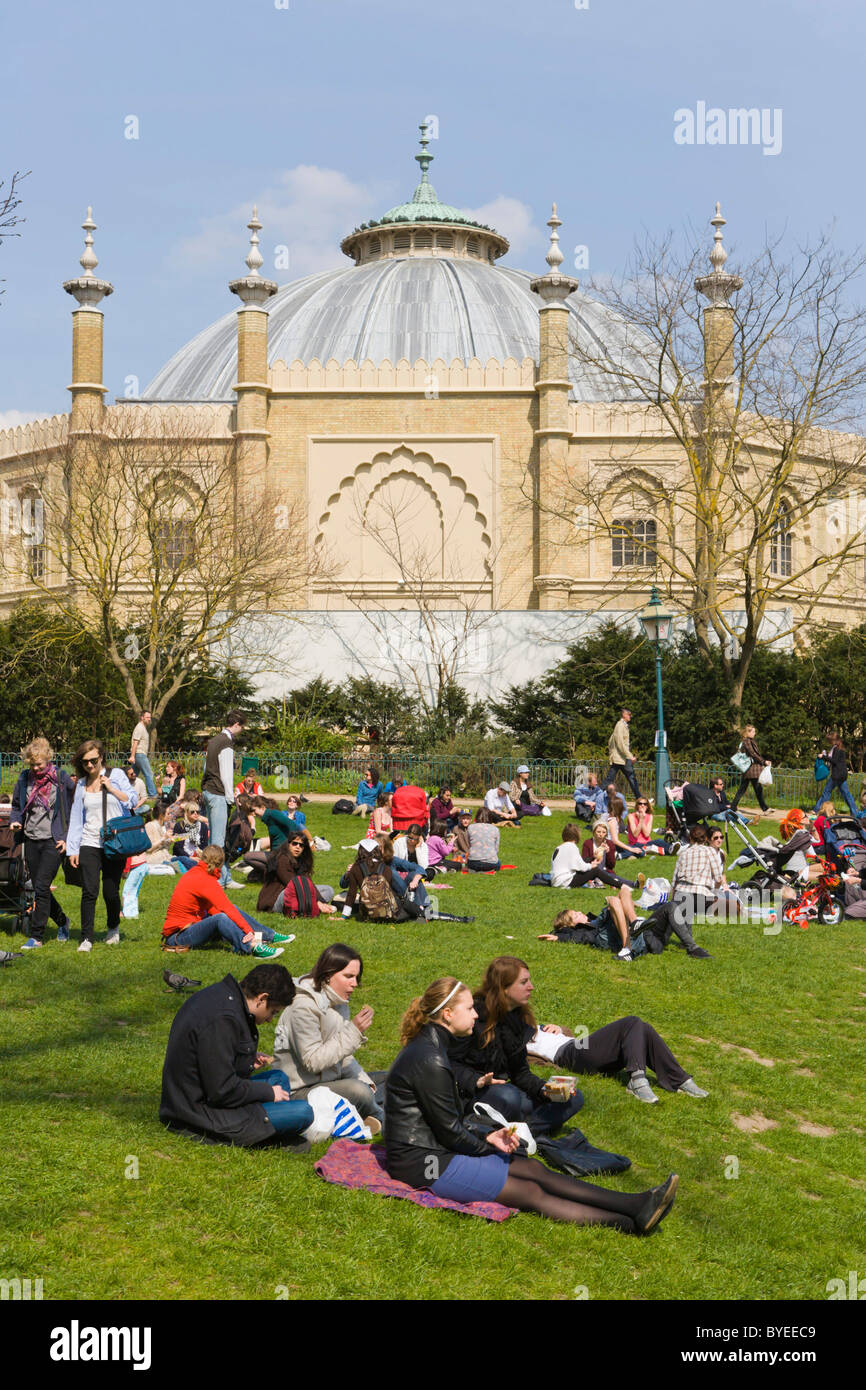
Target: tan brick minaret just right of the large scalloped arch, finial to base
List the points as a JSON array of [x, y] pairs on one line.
[[553, 386]]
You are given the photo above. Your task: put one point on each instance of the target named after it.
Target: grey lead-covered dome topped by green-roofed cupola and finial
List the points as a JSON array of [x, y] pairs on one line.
[[425, 287]]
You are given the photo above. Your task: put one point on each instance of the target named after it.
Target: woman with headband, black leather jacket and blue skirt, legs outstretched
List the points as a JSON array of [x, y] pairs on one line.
[[429, 1146]]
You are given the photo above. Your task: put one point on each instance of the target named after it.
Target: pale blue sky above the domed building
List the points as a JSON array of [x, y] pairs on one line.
[[313, 111]]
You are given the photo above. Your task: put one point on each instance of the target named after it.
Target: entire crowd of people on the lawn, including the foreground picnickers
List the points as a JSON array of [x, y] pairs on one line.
[[461, 1109]]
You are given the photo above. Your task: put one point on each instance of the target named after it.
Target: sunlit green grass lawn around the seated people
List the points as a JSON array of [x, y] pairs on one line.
[[772, 1027]]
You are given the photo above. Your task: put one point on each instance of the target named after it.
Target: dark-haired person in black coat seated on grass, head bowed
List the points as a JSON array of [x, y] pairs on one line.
[[213, 1049]]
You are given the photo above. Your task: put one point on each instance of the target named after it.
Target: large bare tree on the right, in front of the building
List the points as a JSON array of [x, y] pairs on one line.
[[761, 514]]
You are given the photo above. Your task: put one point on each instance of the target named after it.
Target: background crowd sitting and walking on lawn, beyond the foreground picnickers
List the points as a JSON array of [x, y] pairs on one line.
[[411, 840]]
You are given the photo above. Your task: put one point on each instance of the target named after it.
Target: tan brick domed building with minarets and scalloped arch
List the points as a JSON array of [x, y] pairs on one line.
[[429, 408]]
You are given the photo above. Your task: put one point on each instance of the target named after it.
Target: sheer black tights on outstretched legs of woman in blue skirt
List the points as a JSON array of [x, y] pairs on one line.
[[533, 1188]]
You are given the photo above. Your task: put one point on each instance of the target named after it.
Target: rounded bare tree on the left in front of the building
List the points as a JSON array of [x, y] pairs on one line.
[[154, 534]]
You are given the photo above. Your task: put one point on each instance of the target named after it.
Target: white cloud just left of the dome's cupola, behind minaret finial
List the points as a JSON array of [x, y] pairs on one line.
[[308, 211]]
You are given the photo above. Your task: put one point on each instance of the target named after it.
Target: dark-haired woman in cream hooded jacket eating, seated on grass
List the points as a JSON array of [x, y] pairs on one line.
[[316, 1040]]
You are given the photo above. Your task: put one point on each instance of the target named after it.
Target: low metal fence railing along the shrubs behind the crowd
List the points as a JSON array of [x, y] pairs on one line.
[[340, 775]]
